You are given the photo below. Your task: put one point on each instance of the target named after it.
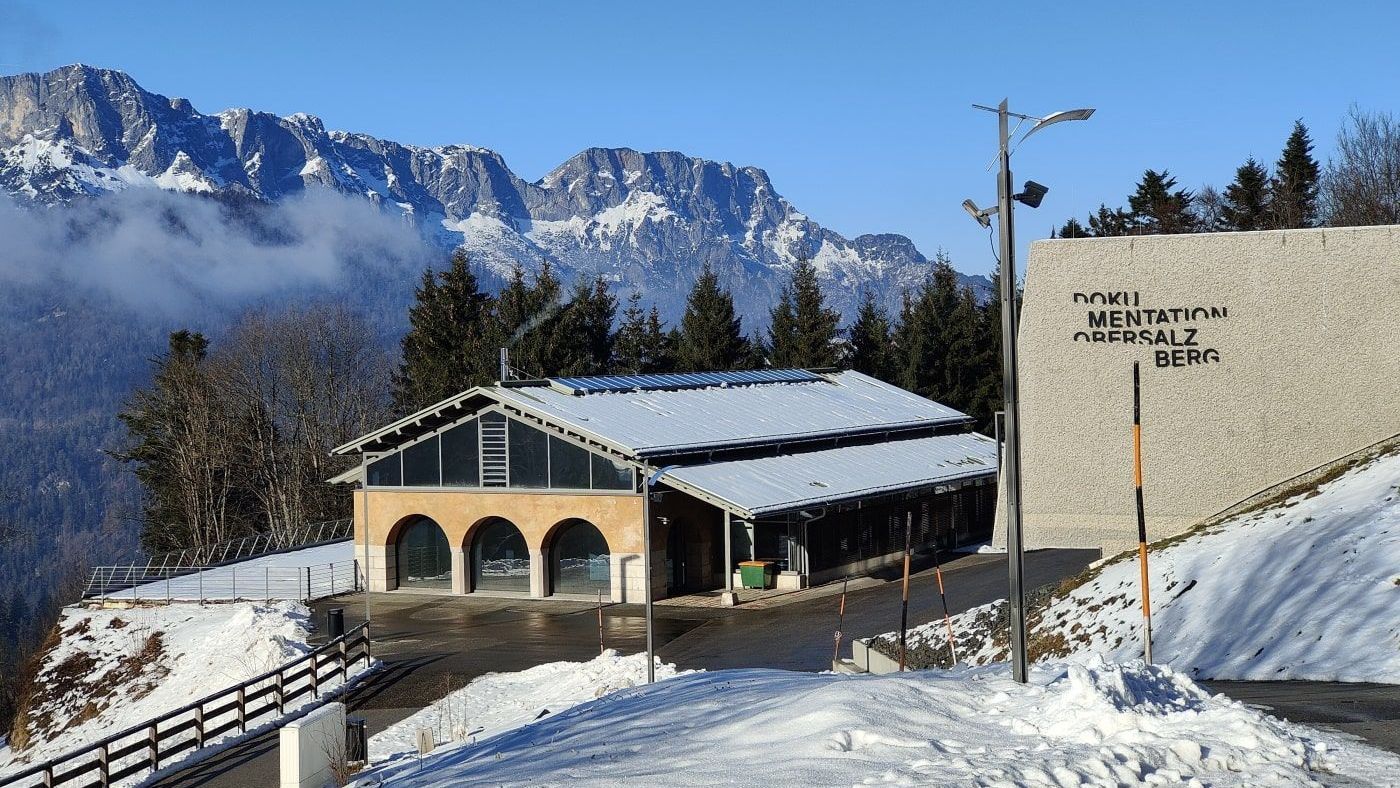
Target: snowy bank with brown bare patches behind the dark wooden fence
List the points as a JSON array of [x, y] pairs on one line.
[[113, 670]]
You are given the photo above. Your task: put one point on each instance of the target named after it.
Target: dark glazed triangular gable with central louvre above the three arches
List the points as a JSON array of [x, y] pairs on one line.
[[534, 460]]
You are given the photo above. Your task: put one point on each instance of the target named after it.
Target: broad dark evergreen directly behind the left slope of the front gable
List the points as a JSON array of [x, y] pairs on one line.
[[450, 345]]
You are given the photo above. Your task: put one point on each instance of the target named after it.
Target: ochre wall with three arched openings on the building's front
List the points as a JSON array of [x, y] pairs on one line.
[[460, 513]]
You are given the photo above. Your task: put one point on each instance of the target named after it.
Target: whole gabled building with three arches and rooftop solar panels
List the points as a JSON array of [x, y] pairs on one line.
[[535, 488]]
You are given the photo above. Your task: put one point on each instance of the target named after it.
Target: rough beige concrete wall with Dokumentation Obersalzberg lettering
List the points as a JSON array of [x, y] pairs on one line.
[[1297, 366]]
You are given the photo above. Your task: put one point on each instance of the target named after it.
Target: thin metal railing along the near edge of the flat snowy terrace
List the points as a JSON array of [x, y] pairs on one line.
[[223, 583]]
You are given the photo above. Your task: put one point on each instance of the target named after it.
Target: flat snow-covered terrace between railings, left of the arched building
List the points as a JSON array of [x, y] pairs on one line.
[[282, 576]]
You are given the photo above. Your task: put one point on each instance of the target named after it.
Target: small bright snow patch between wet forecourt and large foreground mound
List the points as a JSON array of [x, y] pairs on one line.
[[502, 702]]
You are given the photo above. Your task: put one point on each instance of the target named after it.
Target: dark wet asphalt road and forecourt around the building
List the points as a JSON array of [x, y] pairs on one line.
[[435, 645]]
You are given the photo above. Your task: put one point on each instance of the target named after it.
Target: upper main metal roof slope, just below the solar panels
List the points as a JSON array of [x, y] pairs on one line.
[[652, 422]]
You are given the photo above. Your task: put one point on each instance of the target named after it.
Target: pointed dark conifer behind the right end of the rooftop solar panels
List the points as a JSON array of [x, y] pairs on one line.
[[803, 332]]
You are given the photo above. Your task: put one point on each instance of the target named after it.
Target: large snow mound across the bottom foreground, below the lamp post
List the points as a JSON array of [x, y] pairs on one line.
[[1072, 726]]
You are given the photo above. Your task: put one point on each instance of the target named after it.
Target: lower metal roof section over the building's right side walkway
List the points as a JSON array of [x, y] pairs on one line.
[[772, 485]]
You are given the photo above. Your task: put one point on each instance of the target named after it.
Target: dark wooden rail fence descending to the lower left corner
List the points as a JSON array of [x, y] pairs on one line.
[[145, 748]]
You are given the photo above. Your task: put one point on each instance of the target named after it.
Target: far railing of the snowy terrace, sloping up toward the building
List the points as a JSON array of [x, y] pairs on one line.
[[107, 580]]
